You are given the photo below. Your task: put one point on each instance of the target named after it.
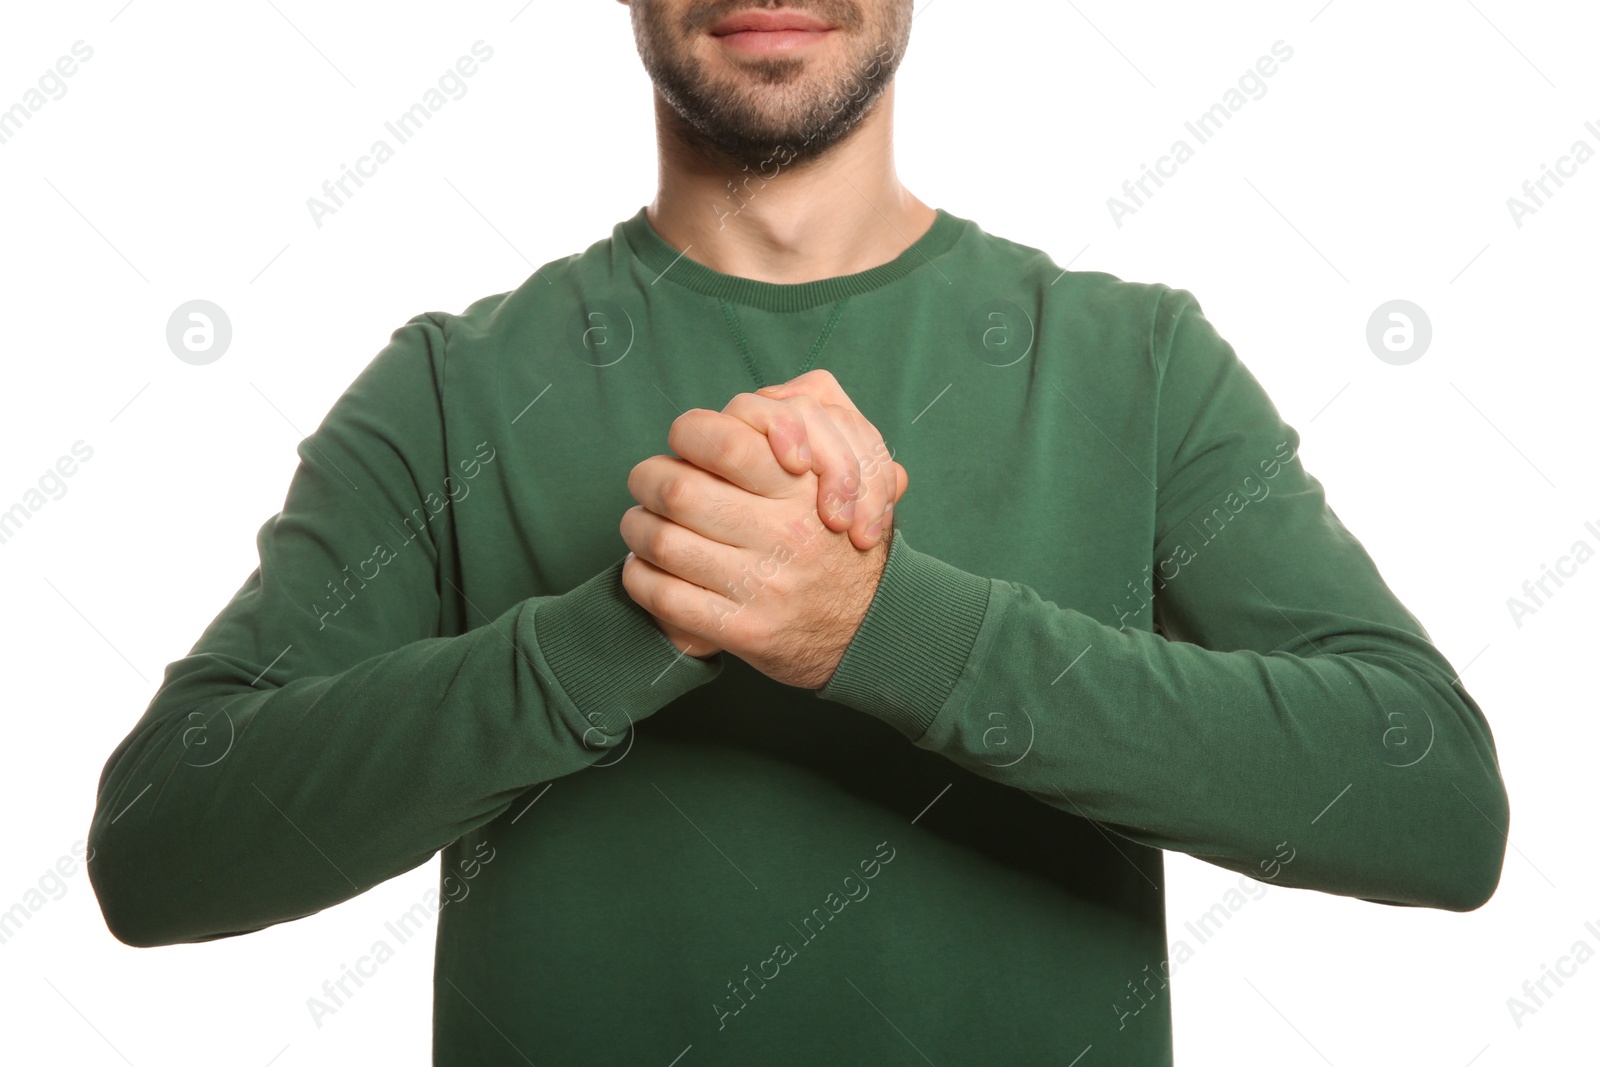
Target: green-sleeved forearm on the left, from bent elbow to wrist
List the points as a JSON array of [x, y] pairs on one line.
[[236, 805]]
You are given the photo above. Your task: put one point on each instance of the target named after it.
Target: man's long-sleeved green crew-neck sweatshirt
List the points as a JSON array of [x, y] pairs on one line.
[[1118, 617]]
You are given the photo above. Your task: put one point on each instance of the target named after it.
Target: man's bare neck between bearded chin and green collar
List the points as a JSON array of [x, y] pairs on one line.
[[804, 222]]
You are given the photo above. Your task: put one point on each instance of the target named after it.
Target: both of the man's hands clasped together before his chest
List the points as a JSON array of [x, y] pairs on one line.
[[767, 533]]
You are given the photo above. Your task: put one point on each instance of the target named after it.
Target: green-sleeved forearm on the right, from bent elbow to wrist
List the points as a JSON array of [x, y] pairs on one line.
[[1217, 754]]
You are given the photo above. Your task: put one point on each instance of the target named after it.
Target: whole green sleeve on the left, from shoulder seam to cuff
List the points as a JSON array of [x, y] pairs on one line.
[[324, 735]]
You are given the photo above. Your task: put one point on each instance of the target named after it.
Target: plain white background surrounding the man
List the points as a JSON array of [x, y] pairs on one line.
[[1377, 167]]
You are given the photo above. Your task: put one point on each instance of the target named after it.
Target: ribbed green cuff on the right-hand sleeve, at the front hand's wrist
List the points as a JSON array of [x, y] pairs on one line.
[[914, 644]]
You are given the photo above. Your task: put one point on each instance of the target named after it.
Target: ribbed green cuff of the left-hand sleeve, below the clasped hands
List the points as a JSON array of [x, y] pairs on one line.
[[610, 658]]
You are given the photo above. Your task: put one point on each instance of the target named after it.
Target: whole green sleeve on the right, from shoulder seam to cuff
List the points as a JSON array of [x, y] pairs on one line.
[[1289, 700]]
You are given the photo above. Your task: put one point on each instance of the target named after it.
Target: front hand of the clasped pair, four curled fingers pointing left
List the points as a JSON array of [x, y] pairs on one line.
[[727, 546]]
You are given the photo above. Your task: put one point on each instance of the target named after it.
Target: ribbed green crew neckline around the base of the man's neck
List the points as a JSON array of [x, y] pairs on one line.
[[670, 265]]
